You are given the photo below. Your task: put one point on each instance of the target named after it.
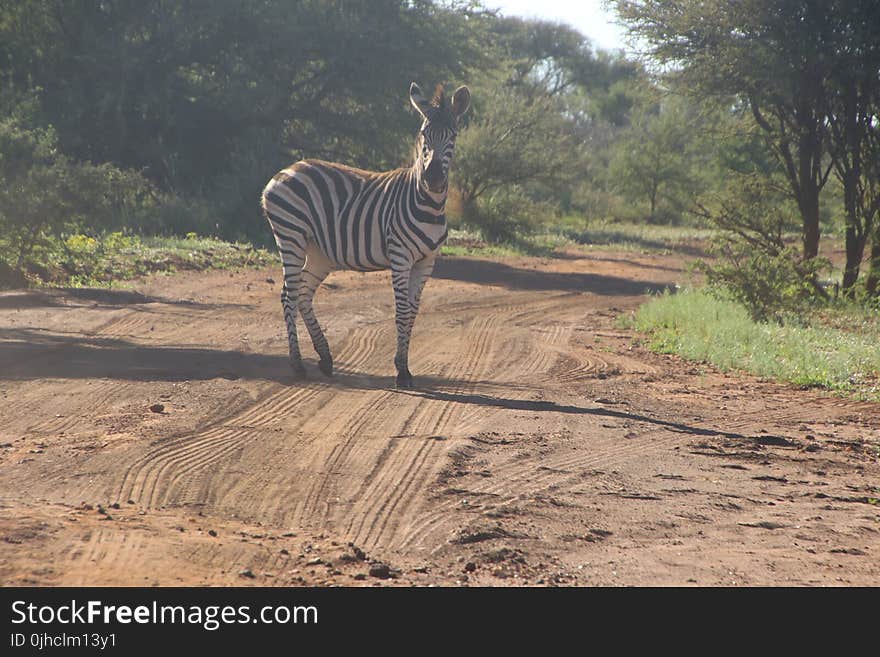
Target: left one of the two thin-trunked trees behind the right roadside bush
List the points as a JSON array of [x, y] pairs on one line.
[[771, 55]]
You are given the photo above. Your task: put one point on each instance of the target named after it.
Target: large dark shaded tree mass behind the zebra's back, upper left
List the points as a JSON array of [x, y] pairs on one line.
[[209, 99]]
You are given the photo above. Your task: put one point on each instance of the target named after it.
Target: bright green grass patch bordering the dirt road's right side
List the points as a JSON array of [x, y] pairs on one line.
[[844, 357]]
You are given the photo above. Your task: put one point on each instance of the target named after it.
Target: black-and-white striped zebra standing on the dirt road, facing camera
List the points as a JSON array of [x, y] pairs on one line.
[[327, 216]]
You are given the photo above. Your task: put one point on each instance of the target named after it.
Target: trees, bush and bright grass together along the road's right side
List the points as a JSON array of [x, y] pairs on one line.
[[800, 153]]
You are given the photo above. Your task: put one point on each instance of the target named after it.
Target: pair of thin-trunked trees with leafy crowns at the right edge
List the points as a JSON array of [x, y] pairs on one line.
[[807, 72]]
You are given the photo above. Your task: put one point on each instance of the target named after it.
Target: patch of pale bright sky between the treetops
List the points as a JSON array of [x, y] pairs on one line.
[[588, 16]]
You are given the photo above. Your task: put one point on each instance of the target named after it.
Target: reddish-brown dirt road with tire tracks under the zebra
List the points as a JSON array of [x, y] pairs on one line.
[[540, 447]]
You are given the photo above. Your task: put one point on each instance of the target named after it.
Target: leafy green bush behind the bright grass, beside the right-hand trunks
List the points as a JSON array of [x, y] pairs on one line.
[[754, 263]]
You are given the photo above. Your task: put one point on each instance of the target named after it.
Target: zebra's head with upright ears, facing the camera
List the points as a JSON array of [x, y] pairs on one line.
[[436, 141]]
